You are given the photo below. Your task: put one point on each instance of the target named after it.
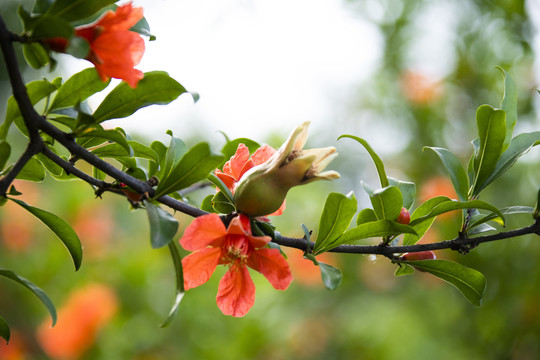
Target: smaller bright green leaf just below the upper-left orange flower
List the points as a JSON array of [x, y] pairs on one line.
[[78, 88]]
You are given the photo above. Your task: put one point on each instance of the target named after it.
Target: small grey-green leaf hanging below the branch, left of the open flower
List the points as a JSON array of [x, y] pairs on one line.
[[163, 226]]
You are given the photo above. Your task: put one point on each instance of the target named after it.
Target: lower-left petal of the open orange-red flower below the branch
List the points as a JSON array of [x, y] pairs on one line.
[[199, 266]]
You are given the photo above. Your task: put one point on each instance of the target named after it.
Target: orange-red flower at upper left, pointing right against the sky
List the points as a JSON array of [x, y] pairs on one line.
[[114, 50]]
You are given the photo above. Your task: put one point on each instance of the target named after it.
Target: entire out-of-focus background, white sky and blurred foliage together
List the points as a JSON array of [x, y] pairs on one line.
[[401, 74]]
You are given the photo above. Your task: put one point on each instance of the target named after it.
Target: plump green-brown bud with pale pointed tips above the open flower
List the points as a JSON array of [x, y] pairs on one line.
[[263, 188]]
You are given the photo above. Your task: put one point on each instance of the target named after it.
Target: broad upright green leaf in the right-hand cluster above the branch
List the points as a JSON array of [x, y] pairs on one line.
[[492, 131]]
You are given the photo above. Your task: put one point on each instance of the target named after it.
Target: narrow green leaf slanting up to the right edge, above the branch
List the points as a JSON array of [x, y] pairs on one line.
[[519, 146]]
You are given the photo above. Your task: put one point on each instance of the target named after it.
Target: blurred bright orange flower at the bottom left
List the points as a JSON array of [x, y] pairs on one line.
[[86, 311]]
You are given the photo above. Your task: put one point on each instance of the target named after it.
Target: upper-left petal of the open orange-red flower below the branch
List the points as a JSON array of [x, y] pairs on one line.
[[203, 231]]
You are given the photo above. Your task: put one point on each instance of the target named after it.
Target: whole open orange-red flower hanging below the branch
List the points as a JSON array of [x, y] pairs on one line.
[[236, 247]]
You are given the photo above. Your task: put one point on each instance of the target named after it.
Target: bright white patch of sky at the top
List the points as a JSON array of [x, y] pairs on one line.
[[258, 65]]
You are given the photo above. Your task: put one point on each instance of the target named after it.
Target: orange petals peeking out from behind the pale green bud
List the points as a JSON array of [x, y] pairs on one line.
[[240, 163]]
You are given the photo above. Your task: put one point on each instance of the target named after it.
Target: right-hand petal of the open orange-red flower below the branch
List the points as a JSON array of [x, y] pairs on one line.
[[273, 266]]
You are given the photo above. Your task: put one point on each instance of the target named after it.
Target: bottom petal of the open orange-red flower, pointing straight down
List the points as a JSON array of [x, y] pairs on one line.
[[236, 292]]
